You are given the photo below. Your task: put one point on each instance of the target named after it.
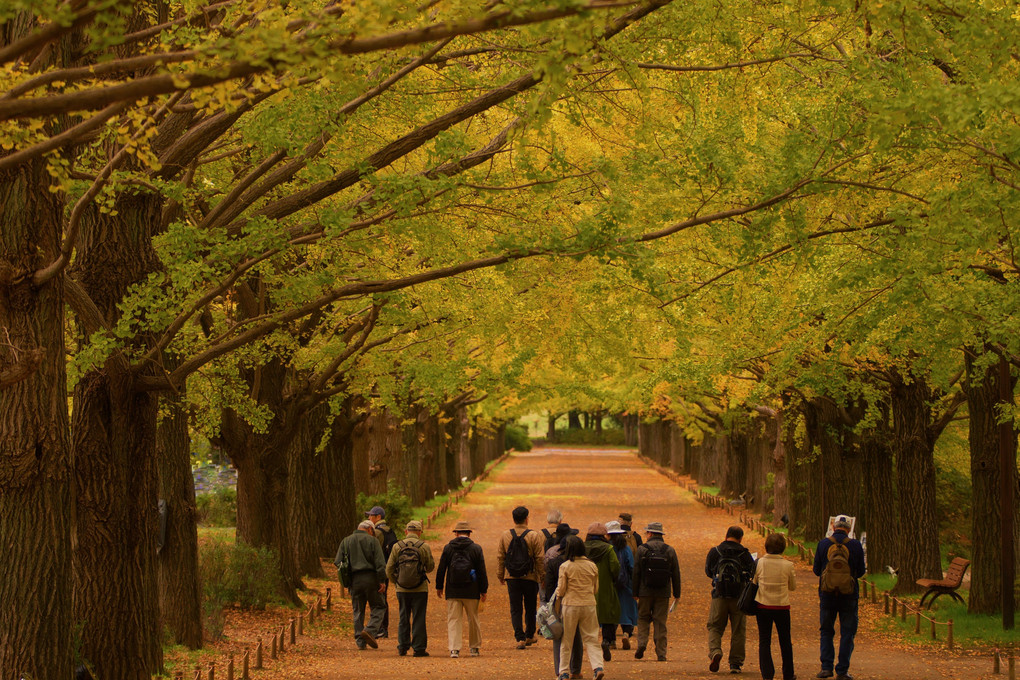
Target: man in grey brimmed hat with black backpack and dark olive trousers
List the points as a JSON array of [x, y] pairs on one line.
[[657, 576]]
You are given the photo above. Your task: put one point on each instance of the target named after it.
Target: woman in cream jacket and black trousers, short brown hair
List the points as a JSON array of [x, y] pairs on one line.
[[776, 579]]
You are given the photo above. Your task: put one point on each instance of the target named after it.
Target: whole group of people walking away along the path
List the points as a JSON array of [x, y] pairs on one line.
[[614, 584]]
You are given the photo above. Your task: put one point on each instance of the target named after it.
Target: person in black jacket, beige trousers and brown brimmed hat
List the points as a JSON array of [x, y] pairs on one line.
[[462, 576]]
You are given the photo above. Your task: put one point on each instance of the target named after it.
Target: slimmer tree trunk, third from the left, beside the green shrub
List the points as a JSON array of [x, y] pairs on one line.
[[180, 592]]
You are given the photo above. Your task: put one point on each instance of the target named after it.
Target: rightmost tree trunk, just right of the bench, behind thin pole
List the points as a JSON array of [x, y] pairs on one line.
[[982, 389]]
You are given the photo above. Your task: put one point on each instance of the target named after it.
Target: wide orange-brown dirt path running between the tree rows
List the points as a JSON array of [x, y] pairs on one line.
[[596, 486]]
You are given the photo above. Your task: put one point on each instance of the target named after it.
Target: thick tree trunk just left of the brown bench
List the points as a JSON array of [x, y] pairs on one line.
[[914, 447]]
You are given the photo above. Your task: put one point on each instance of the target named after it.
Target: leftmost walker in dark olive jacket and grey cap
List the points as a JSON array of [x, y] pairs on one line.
[[368, 568]]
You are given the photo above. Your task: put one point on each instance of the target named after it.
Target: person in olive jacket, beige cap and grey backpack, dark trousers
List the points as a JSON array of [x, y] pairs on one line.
[[413, 600]]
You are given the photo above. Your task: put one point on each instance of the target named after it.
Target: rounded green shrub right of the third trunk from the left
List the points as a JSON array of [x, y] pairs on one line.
[[235, 576]]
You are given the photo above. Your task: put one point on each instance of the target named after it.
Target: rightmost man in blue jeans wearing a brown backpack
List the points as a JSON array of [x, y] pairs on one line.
[[839, 563]]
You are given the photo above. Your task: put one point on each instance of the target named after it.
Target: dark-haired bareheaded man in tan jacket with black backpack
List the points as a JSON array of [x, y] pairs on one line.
[[521, 565]]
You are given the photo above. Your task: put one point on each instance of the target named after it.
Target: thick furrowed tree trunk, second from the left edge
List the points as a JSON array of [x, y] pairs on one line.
[[115, 441]]
